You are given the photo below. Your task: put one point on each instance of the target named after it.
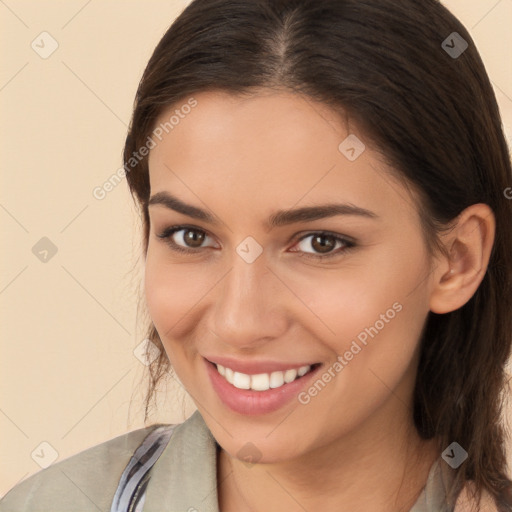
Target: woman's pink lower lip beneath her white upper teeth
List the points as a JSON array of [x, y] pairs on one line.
[[249, 402]]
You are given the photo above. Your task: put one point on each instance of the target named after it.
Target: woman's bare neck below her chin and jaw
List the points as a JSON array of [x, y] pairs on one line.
[[372, 469]]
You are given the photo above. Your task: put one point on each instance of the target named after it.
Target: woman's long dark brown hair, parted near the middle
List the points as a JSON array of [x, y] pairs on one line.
[[434, 118]]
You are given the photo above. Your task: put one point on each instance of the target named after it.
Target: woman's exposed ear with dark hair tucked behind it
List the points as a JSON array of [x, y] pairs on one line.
[[469, 246]]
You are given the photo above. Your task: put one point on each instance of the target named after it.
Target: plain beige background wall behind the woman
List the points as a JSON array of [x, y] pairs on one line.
[[68, 371]]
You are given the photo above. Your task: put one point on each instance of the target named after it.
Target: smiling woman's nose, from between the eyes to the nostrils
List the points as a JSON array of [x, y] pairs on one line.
[[249, 307]]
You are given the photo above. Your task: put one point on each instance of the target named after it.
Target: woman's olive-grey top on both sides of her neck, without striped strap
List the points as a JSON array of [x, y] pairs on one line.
[[182, 479]]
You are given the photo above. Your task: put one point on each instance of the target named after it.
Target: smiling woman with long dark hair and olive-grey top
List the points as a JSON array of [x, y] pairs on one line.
[[328, 267]]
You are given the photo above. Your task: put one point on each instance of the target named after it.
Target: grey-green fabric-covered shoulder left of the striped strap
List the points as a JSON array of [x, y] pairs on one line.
[[85, 481]]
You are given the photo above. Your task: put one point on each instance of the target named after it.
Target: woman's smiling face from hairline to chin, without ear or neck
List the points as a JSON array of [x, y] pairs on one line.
[[262, 292]]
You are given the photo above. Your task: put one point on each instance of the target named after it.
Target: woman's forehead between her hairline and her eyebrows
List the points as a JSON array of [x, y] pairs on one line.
[[269, 149]]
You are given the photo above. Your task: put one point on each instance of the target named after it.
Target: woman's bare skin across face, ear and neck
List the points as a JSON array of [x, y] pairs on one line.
[[242, 159]]
